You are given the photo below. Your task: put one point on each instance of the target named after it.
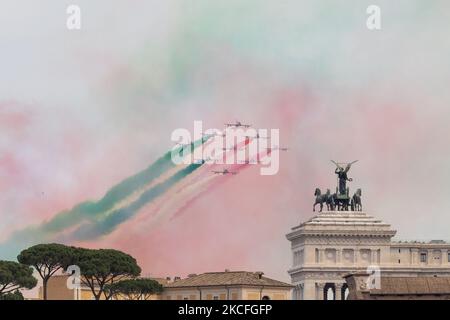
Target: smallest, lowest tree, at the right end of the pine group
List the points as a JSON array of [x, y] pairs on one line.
[[135, 289]]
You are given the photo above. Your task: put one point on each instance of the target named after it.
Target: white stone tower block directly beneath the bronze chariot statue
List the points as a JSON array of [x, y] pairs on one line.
[[334, 244]]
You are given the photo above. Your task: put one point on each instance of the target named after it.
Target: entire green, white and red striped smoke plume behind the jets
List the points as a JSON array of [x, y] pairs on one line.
[[164, 188]]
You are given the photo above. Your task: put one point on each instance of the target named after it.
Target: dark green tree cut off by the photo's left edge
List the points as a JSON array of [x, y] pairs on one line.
[[15, 276]]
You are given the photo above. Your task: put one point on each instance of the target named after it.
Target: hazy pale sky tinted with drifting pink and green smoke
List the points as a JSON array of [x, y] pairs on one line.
[[82, 110]]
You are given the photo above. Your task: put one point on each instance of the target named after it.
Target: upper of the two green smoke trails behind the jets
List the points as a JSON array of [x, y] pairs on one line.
[[91, 210]]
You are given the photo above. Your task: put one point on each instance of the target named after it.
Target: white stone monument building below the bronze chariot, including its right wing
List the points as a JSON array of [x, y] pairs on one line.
[[333, 244]]
